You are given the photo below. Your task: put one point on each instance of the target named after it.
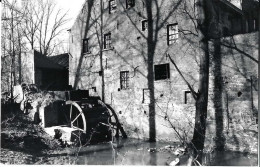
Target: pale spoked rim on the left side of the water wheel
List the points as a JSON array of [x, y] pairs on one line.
[[74, 116]]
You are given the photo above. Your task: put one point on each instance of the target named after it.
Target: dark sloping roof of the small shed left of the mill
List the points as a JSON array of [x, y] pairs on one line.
[[42, 61]]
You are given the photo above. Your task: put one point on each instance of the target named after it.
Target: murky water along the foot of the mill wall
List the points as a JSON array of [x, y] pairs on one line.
[[138, 152]]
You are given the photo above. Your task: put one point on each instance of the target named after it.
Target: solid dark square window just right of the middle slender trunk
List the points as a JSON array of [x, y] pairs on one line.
[[161, 71]]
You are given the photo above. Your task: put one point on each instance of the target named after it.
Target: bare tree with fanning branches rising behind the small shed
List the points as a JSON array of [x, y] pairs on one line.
[[44, 23]]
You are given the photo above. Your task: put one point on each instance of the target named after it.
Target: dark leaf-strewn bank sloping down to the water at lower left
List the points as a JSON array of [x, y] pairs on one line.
[[23, 141]]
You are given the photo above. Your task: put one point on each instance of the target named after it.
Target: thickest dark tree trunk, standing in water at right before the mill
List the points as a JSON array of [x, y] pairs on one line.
[[202, 98]]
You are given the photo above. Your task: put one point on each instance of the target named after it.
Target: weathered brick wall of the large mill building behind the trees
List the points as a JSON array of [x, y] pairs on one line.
[[108, 55]]
